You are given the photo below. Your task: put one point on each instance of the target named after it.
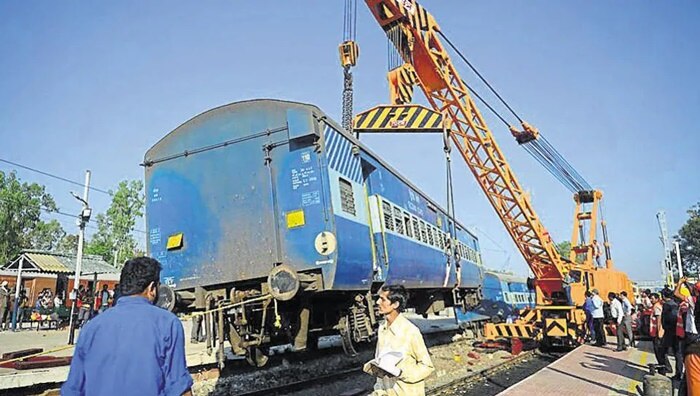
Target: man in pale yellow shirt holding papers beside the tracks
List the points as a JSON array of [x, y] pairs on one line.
[[397, 334]]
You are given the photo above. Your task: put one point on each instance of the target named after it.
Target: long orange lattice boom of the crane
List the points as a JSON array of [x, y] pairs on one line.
[[415, 34]]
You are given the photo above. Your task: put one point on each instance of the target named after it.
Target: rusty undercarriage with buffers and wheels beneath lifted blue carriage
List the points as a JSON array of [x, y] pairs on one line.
[[293, 308]]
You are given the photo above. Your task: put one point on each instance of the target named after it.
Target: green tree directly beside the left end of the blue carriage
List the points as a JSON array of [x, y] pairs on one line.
[[114, 240]]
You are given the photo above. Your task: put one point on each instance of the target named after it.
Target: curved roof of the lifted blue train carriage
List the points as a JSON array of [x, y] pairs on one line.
[[318, 114]]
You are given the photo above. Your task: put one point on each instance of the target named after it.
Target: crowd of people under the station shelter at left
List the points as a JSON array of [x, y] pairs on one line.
[[52, 306]]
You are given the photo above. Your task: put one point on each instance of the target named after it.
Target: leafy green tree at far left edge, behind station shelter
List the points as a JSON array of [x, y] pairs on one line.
[[21, 226]]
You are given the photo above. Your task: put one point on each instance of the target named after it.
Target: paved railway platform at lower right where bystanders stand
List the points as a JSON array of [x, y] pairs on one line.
[[590, 370]]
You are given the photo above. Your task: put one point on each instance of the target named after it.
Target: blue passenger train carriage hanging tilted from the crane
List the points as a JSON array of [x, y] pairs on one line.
[[279, 225]]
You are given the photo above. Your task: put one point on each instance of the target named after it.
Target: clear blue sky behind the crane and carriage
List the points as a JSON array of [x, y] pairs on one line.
[[613, 85]]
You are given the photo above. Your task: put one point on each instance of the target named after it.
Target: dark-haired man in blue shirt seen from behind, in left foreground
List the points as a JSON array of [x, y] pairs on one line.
[[135, 348]]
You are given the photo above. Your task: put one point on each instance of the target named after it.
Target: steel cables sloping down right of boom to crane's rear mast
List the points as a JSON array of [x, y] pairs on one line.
[[530, 138]]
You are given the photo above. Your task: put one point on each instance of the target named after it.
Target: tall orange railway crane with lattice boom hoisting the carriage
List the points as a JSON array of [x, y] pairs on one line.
[[423, 61]]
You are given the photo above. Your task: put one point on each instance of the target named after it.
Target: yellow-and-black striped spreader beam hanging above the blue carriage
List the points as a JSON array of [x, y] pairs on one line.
[[398, 118]]
